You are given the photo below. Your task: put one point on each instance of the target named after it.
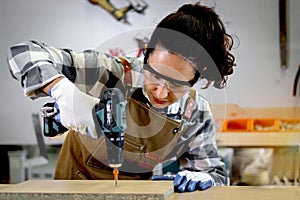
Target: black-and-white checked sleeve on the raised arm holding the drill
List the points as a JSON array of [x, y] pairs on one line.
[[36, 64]]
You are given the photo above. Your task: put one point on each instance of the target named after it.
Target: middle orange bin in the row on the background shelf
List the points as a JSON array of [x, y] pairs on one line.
[[264, 125]]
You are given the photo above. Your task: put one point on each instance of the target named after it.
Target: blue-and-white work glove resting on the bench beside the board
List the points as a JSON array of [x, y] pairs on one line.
[[189, 181]]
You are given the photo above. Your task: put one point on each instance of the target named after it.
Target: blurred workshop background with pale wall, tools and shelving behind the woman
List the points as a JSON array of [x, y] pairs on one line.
[[257, 114]]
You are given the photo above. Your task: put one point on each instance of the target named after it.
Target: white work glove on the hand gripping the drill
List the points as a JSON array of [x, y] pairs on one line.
[[76, 107]]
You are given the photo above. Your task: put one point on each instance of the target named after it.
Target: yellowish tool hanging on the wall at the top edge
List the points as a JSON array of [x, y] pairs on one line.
[[121, 14]]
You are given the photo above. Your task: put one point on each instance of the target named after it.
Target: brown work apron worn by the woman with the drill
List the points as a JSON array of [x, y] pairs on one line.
[[150, 139]]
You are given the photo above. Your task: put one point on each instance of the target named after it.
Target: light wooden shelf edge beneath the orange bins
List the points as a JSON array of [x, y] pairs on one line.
[[252, 139]]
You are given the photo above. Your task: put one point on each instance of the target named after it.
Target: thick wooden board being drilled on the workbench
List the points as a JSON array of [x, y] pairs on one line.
[[91, 189]]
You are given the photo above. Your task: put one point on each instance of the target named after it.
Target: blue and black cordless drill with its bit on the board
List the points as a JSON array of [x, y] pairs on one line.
[[111, 115]]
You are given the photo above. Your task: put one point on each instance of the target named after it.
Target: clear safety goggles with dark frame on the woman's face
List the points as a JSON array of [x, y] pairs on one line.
[[174, 85]]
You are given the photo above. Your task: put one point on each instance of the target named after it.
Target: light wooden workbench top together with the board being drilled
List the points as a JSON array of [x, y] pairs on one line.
[[92, 190]]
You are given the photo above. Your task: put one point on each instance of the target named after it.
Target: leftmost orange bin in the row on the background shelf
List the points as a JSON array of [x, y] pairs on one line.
[[237, 125]]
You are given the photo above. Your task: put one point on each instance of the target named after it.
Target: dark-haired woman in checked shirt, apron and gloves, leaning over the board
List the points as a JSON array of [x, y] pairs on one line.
[[167, 120]]
